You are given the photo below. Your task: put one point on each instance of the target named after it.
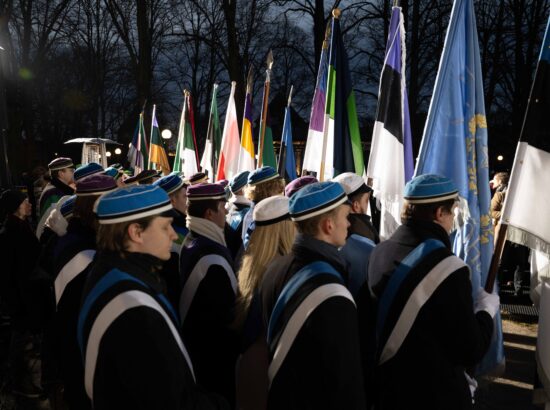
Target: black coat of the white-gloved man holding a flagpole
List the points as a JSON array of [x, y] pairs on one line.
[[428, 370]]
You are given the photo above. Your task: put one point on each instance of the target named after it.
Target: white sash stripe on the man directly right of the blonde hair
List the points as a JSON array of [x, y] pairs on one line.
[[297, 320]]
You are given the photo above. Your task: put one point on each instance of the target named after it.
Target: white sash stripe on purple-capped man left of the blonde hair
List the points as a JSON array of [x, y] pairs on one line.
[[197, 275]]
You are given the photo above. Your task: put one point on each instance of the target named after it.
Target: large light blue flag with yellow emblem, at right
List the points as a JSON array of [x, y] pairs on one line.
[[454, 144]]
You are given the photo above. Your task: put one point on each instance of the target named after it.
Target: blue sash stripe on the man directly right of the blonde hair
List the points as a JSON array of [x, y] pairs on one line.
[[303, 275]]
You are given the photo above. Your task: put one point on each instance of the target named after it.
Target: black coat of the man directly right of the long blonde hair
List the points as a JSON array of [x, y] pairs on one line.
[[322, 369]]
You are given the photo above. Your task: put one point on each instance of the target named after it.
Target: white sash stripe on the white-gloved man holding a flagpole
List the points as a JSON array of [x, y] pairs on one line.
[[417, 299]]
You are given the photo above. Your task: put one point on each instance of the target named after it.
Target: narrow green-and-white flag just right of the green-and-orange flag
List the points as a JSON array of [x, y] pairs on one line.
[[186, 159]]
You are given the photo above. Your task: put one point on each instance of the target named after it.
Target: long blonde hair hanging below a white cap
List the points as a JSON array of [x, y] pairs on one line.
[[266, 242]]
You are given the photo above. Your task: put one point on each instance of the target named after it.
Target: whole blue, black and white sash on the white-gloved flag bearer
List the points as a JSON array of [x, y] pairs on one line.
[[392, 335]]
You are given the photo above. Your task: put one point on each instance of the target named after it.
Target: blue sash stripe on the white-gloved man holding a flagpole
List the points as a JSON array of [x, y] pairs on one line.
[[399, 275]]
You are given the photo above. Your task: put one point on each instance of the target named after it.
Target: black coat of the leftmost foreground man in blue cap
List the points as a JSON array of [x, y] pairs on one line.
[[139, 364]]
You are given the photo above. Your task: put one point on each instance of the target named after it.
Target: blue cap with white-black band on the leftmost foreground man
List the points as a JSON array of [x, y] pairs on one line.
[[131, 203]]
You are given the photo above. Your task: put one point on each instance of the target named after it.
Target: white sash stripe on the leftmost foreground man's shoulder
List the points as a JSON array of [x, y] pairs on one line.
[[116, 307]]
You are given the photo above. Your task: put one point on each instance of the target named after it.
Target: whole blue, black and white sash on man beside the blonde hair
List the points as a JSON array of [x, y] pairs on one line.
[[280, 341]]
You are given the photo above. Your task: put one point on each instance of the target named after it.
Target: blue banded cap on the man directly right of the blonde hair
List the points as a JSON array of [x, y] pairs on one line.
[[316, 199]]
